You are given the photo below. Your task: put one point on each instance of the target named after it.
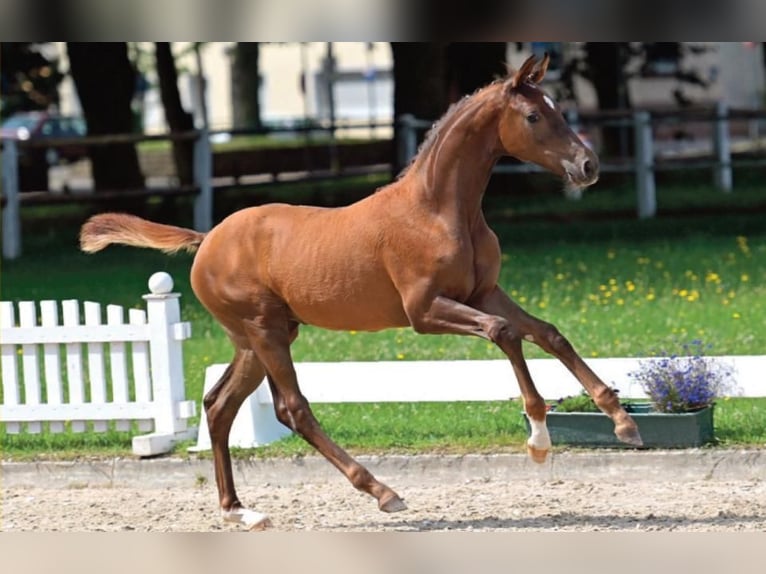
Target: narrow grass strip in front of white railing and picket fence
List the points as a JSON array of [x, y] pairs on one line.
[[446, 428]]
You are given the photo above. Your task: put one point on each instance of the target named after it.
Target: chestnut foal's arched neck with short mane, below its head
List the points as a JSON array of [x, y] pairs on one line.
[[455, 168]]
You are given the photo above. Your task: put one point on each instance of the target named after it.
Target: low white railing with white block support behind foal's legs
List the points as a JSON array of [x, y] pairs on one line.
[[439, 381]]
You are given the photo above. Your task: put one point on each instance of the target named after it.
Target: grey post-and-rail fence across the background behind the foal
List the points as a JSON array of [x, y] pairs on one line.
[[644, 164]]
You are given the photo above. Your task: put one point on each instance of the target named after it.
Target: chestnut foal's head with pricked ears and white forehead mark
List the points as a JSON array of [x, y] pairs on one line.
[[533, 129]]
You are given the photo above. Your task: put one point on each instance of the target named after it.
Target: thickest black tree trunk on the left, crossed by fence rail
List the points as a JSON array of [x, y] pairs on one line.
[[105, 82]]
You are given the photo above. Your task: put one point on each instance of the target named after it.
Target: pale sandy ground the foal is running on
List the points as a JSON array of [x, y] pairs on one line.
[[447, 503]]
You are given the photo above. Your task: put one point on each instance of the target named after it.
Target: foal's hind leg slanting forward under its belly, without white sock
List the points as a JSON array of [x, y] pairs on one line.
[[271, 338]]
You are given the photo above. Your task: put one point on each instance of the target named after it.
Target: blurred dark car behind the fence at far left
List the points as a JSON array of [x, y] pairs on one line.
[[35, 161]]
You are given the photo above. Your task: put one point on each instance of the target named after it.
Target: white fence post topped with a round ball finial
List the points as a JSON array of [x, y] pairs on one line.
[[166, 359]]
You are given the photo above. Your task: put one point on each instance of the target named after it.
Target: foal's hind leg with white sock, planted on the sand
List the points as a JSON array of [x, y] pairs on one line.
[[241, 378]]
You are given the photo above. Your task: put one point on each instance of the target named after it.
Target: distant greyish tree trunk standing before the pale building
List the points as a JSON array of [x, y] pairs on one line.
[[245, 76]]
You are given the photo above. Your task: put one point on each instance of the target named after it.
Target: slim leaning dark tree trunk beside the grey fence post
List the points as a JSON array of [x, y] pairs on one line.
[[178, 119]]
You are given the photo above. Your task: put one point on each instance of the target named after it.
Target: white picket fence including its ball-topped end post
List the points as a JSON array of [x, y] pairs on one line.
[[87, 373]]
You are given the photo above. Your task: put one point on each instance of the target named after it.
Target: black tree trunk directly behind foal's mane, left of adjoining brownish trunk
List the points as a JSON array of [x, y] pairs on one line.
[[419, 83]]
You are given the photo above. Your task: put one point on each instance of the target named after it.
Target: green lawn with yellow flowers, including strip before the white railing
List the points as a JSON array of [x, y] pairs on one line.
[[614, 287]]
